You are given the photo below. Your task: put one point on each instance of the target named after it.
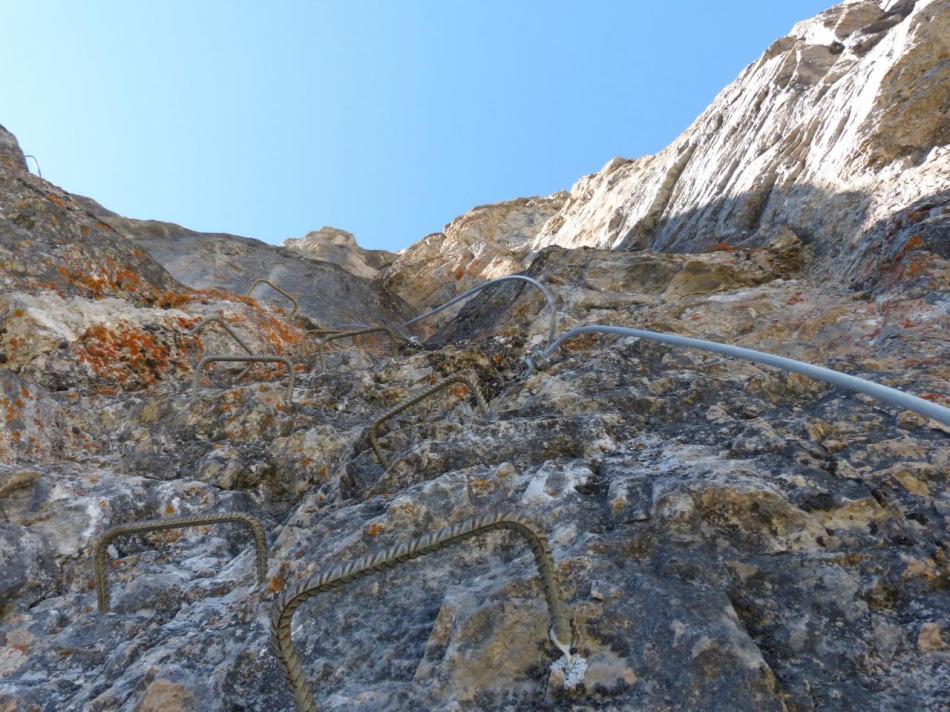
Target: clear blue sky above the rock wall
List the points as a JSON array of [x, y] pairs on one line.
[[387, 119]]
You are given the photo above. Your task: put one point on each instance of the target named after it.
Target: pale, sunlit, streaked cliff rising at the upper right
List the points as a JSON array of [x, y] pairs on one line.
[[836, 128]]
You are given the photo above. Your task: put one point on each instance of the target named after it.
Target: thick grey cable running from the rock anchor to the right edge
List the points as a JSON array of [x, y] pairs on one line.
[[835, 378]]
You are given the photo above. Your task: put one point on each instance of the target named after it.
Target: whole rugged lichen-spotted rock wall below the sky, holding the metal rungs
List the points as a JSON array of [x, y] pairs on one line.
[[727, 536]]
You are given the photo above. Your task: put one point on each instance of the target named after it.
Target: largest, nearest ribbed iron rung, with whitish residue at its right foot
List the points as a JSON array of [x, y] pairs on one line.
[[282, 614]]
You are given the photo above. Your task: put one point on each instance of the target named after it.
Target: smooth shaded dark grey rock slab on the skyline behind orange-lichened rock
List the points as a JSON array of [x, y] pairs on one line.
[[329, 294]]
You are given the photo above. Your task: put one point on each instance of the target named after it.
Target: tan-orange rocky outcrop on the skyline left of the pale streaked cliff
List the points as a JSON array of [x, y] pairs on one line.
[[487, 242]]
